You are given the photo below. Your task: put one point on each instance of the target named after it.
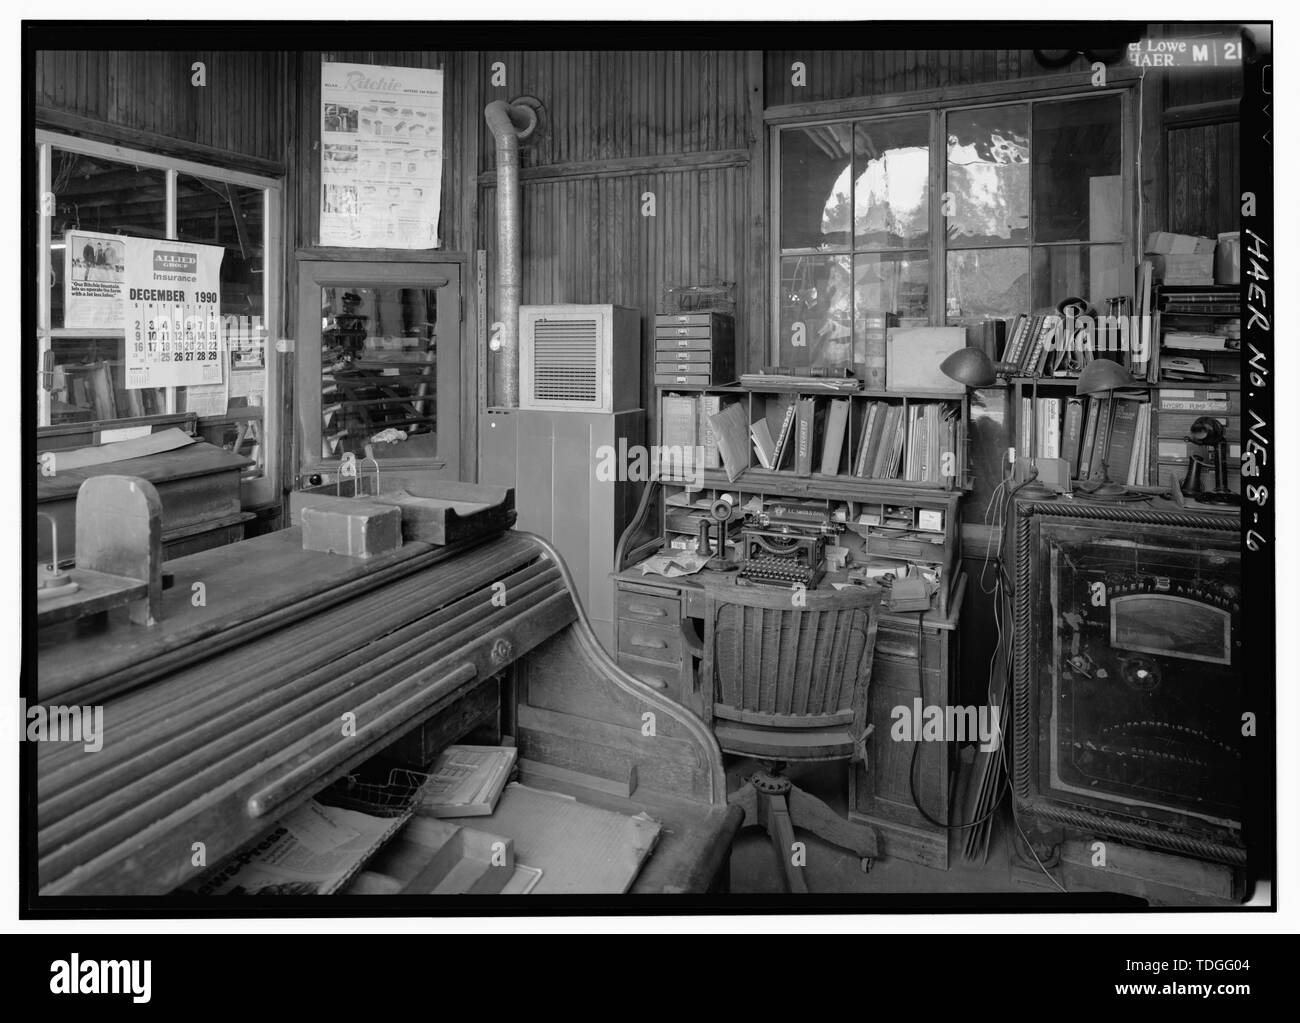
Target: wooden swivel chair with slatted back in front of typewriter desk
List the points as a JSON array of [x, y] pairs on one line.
[[791, 684]]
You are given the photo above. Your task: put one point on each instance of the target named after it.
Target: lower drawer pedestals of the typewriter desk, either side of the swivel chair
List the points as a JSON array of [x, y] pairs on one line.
[[911, 662]]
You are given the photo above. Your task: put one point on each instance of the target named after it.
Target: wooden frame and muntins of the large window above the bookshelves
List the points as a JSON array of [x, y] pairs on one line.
[[939, 105]]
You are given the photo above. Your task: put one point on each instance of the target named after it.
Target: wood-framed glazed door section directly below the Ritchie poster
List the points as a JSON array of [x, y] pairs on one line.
[[379, 369]]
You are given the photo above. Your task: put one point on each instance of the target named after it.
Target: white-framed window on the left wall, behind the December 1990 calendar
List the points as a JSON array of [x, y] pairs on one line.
[[94, 193]]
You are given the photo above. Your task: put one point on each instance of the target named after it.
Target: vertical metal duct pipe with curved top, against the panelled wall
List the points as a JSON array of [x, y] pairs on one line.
[[509, 124]]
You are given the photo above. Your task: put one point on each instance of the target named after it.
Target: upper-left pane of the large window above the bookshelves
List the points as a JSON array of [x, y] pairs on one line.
[[816, 188]]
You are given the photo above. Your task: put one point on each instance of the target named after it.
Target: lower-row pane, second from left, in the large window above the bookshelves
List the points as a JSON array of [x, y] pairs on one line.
[[889, 291]]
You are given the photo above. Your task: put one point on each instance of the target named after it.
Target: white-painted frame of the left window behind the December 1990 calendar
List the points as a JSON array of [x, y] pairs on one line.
[[265, 489]]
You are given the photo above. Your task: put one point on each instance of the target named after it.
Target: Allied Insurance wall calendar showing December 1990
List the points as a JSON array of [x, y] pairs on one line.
[[174, 314]]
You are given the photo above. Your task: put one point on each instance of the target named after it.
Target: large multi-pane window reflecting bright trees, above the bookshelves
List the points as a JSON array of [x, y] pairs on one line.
[[947, 216]]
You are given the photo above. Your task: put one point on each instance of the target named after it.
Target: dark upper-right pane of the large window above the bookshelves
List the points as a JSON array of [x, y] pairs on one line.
[[1077, 196]]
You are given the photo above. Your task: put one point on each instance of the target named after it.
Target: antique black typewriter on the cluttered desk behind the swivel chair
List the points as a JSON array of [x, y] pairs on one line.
[[786, 544]]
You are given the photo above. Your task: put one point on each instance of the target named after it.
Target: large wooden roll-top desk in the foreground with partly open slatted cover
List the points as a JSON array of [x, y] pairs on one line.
[[235, 708]]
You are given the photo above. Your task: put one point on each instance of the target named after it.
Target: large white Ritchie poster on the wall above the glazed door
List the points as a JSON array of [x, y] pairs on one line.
[[382, 157]]
